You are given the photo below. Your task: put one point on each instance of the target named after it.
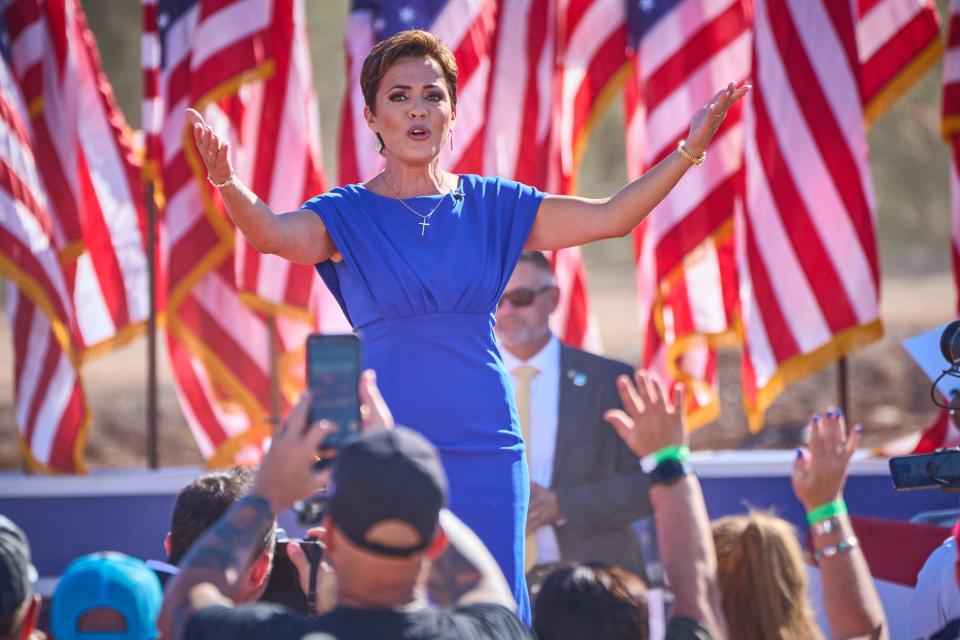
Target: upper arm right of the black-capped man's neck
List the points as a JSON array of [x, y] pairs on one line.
[[466, 573]]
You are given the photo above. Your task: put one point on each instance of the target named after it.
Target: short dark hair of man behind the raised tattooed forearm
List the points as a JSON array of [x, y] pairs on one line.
[[202, 502]]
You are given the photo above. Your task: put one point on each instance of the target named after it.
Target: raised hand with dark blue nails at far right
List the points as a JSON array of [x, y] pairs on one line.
[[820, 469]]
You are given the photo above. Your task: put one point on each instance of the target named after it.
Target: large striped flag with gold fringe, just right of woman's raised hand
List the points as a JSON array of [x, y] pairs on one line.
[[807, 252]]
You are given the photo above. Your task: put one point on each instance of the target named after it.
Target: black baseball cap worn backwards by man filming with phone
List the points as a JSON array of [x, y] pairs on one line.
[[390, 474]]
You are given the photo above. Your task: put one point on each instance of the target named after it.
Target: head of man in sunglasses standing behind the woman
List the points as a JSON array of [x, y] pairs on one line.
[[523, 314]]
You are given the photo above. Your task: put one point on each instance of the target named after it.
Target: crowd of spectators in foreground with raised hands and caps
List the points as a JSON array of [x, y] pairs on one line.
[[397, 564]]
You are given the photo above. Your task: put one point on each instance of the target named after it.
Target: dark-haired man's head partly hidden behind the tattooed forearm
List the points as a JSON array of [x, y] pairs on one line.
[[199, 505]]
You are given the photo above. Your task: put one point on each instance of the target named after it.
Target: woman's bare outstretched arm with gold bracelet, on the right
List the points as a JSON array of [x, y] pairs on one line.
[[567, 221]]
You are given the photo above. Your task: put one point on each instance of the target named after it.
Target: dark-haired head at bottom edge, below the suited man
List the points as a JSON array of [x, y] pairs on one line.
[[591, 601]]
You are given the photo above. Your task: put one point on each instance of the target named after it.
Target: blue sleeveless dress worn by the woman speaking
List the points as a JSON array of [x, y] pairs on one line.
[[423, 307]]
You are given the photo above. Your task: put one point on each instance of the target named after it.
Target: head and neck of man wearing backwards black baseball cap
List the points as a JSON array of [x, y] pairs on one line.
[[383, 520]]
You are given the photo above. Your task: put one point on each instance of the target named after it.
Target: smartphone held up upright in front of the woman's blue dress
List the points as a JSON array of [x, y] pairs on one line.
[[333, 370]]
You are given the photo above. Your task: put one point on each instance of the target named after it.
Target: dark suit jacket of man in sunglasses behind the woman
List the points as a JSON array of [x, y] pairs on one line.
[[597, 479]]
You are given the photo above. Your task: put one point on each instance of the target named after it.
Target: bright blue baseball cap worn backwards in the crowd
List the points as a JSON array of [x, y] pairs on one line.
[[107, 581]]
